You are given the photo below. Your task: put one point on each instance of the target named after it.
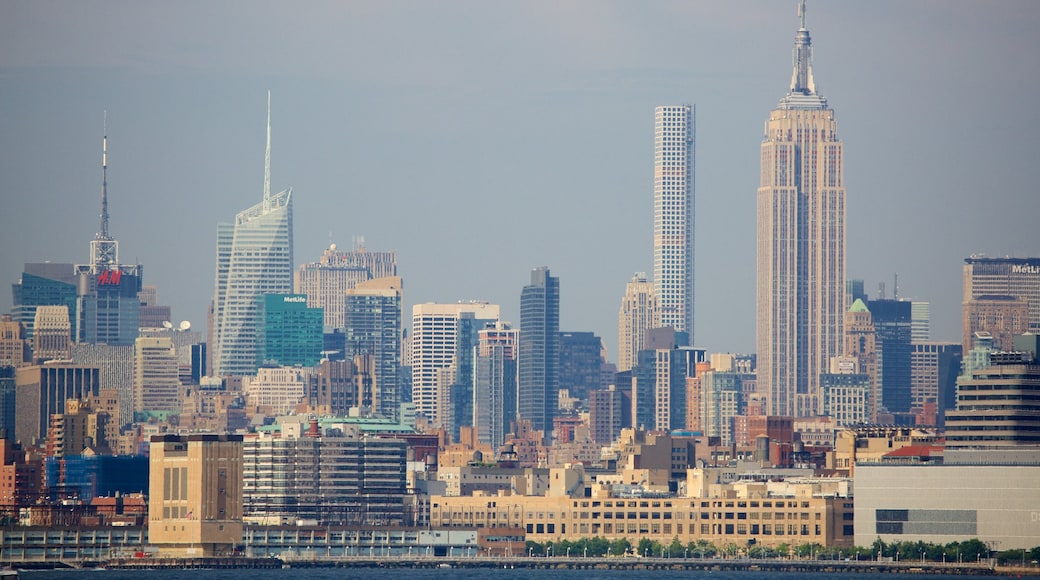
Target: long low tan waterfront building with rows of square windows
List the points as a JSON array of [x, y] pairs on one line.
[[770, 514]]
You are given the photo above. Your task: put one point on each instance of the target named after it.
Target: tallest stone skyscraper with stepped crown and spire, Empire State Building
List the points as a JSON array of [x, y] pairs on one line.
[[801, 252]]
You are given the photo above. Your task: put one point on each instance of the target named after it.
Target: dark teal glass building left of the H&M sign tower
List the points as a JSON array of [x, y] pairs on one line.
[[43, 284]]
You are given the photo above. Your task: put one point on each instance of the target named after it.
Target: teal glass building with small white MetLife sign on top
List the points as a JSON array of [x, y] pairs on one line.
[[291, 333]]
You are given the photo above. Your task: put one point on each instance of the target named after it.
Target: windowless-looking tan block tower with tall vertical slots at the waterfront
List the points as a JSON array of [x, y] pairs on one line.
[[196, 495]]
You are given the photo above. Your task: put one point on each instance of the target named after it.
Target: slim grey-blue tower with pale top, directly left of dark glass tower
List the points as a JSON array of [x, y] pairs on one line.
[[496, 384]]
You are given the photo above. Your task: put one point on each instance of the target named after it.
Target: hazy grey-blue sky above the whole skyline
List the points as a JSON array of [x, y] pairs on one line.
[[481, 140]]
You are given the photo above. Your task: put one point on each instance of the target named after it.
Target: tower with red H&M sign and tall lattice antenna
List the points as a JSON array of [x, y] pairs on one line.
[[108, 307]]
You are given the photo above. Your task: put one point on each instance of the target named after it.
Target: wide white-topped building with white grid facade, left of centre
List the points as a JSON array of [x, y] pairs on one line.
[[440, 334]]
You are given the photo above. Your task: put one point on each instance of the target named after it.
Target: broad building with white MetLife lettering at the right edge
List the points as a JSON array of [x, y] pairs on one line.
[[1002, 277]]
